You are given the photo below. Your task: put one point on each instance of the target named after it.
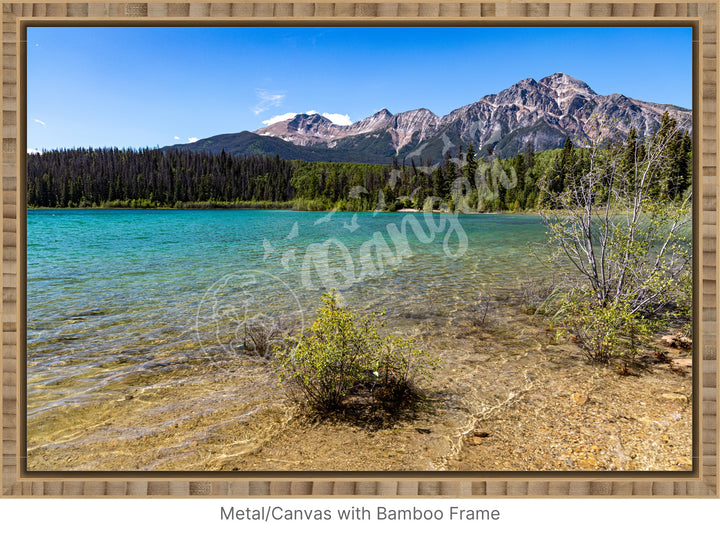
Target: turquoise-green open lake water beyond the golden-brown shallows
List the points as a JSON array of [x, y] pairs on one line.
[[115, 293]]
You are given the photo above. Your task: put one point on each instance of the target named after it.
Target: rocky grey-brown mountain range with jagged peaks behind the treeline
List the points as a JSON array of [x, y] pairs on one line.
[[542, 113]]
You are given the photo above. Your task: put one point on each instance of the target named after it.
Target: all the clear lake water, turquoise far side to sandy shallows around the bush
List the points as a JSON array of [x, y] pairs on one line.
[[136, 322]]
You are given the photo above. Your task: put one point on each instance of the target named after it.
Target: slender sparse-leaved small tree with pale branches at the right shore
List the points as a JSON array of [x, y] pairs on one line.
[[619, 226]]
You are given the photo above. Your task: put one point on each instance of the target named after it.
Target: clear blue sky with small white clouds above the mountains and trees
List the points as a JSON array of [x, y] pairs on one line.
[[147, 87]]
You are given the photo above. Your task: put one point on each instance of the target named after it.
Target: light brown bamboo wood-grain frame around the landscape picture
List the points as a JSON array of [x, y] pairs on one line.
[[701, 483]]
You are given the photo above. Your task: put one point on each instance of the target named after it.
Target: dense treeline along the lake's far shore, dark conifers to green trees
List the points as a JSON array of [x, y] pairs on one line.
[[175, 178]]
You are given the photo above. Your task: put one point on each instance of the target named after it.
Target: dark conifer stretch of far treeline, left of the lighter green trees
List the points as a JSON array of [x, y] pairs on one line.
[[152, 177]]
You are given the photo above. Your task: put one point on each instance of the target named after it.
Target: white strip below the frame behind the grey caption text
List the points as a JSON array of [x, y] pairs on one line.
[[581, 516]]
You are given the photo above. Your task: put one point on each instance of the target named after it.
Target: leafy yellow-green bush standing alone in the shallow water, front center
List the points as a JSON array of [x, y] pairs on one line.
[[344, 353]]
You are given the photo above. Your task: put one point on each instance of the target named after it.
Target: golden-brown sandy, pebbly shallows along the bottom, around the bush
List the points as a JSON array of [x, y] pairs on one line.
[[510, 397]]
